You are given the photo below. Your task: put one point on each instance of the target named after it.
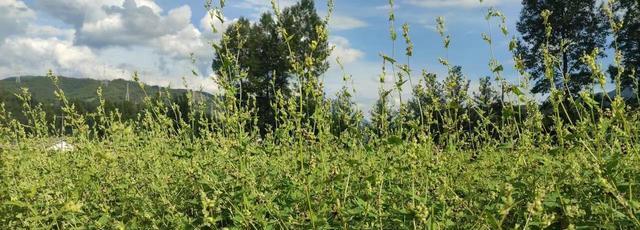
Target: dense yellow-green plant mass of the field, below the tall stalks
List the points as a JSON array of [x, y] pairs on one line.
[[162, 182]]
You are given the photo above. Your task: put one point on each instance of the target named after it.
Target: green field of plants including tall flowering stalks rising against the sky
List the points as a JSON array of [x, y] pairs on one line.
[[434, 171]]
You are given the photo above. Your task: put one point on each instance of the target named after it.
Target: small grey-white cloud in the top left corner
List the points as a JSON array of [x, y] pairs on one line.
[[14, 17]]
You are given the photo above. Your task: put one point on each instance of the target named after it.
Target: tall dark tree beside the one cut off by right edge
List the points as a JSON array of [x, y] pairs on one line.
[[577, 28]]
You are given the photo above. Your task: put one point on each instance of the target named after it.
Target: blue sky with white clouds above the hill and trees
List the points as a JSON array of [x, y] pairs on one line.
[[164, 40]]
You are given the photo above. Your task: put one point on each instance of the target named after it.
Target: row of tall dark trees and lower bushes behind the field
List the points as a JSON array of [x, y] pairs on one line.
[[578, 28]]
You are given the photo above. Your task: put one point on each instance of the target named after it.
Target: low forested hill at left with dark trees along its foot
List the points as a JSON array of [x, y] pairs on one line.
[[82, 93]]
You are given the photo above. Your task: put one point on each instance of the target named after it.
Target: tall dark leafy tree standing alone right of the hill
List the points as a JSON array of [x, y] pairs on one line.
[[266, 56]]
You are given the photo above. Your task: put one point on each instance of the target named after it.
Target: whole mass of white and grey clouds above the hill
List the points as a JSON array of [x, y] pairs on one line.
[[108, 39]]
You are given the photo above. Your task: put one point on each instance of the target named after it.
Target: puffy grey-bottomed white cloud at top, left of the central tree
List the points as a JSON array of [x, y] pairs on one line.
[[139, 23]]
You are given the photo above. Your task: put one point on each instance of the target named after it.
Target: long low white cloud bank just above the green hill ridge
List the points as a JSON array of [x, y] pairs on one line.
[[35, 56]]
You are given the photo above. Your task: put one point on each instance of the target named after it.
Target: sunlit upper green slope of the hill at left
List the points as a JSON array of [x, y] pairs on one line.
[[81, 89]]
